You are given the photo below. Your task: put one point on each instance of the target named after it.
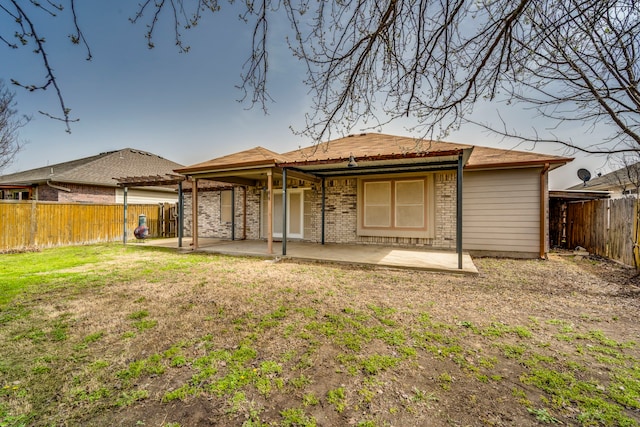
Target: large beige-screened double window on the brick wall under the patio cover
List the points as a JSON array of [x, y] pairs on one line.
[[396, 207]]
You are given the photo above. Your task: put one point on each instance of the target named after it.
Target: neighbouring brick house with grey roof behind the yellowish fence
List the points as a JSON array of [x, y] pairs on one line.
[[92, 179]]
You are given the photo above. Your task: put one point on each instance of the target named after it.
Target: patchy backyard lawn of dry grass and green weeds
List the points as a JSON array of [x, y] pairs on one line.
[[140, 336]]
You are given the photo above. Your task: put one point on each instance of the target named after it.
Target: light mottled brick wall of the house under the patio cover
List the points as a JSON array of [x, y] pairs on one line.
[[340, 214]]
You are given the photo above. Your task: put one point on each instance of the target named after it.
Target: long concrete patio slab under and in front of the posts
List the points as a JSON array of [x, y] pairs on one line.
[[381, 256]]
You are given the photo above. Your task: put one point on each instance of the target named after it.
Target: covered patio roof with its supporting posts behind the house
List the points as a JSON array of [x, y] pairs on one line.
[[315, 164]]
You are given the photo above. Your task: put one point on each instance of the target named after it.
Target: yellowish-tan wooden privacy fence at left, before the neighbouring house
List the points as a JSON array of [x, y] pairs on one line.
[[32, 224]]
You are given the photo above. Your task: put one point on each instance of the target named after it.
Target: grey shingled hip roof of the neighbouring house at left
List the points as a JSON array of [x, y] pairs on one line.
[[100, 169]]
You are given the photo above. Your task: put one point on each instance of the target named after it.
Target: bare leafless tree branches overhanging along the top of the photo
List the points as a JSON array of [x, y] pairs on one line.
[[370, 62]]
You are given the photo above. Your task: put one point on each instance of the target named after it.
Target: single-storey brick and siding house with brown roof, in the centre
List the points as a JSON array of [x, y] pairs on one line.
[[377, 189]]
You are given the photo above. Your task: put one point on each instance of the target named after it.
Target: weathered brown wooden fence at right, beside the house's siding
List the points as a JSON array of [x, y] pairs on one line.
[[607, 228]]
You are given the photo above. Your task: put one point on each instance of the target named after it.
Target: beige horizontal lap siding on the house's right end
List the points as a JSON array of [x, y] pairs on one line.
[[501, 211]]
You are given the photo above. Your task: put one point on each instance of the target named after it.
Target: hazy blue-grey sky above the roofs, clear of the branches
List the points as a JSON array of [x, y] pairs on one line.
[[184, 106]]
